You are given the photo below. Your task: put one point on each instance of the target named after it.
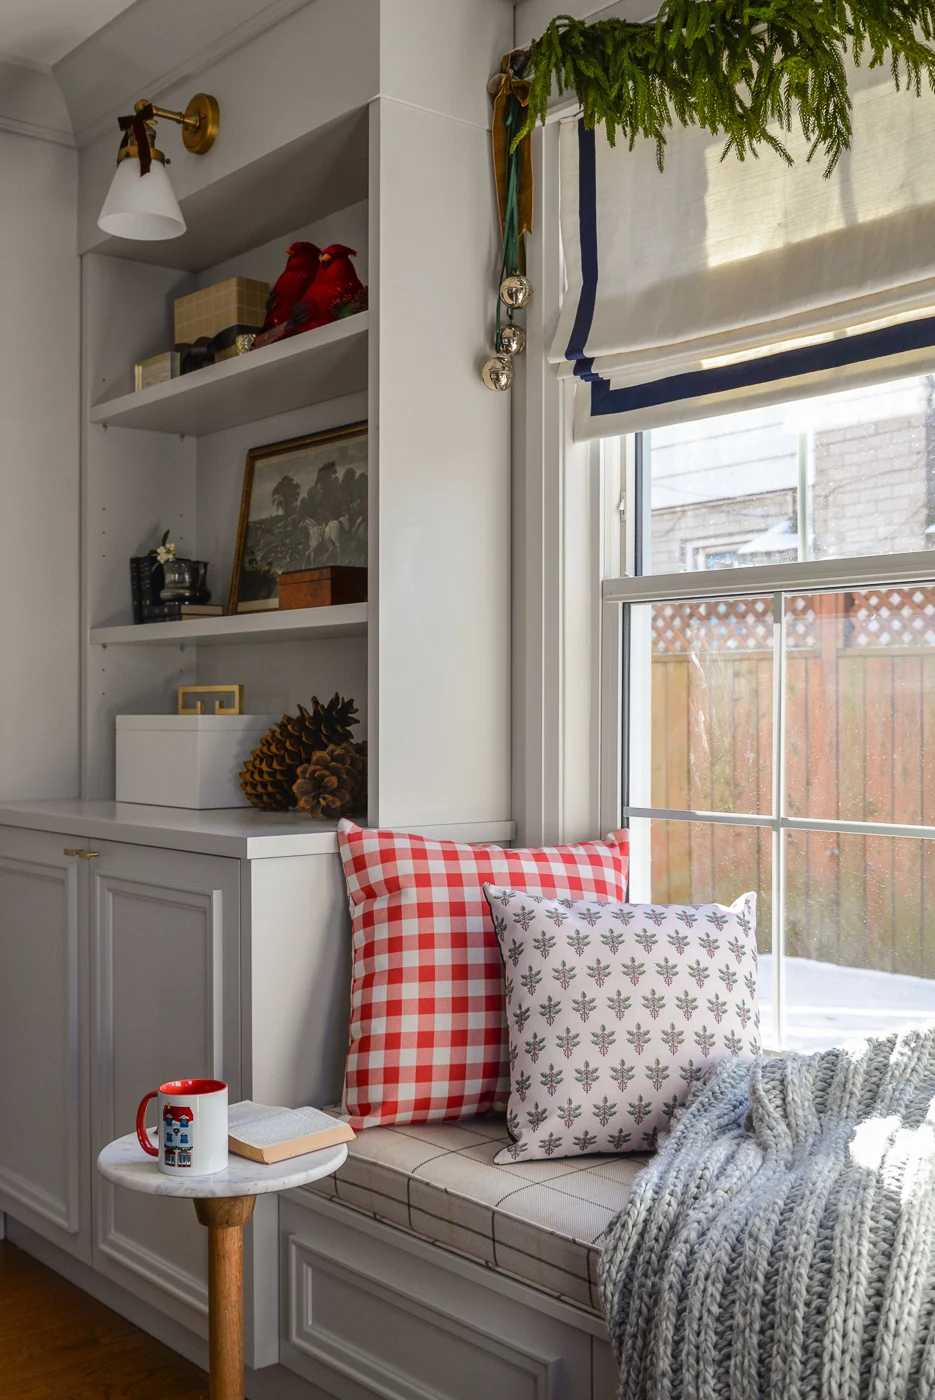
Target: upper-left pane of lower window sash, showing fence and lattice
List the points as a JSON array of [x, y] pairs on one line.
[[712, 705]]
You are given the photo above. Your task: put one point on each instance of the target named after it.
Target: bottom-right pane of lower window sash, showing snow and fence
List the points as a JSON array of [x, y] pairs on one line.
[[860, 937]]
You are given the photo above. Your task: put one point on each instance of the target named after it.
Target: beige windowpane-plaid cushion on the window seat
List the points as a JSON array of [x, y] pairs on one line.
[[540, 1221]]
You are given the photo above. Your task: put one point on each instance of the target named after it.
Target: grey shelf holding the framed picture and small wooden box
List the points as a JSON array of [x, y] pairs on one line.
[[293, 625]]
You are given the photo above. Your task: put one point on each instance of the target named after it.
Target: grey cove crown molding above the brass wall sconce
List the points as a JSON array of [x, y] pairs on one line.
[[114, 68]]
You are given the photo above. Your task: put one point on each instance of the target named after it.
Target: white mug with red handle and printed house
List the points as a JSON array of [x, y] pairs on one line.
[[191, 1130]]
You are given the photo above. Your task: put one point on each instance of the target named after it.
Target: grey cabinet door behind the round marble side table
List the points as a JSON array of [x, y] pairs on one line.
[[166, 1006]]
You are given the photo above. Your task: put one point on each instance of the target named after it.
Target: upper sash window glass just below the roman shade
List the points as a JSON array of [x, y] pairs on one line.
[[828, 478]]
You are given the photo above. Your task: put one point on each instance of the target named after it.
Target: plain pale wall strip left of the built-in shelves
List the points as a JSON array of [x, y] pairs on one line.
[[38, 470]]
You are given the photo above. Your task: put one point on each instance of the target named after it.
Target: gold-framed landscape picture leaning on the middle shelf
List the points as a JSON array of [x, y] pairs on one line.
[[304, 506]]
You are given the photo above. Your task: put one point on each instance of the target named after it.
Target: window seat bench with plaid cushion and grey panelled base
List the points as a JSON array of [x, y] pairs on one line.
[[422, 1270]]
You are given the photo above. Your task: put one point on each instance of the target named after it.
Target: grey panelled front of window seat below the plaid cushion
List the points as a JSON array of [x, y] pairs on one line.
[[367, 1307]]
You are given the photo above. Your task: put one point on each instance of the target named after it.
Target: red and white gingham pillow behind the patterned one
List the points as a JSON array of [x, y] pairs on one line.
[[428, 1032]]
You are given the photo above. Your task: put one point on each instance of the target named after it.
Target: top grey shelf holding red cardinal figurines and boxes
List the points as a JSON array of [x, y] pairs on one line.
[[309, 369]]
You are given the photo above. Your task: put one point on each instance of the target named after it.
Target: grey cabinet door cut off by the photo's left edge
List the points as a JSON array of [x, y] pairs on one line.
[[44, 1051]]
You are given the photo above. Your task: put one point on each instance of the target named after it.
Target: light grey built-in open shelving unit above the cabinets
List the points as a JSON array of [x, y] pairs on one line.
[[428, 659]]
